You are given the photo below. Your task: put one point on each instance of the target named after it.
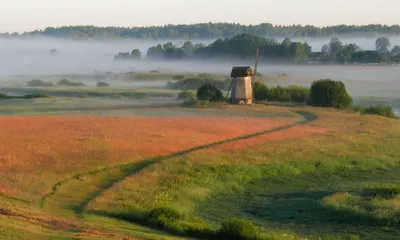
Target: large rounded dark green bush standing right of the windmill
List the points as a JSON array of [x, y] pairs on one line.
[[329, 93]]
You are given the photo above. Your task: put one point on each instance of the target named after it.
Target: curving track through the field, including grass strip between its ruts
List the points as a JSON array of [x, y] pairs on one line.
[[75, 193]]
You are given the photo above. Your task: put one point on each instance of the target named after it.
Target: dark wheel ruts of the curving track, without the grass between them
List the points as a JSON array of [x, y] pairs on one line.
[[130, 169]]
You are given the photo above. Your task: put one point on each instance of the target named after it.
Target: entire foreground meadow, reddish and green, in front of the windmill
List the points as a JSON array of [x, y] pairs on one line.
[[160, 173]]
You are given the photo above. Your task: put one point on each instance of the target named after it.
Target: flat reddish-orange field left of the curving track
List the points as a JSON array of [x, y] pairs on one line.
[[36, 152]]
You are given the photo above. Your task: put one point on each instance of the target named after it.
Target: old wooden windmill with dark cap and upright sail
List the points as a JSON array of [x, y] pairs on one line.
[[242, 84]]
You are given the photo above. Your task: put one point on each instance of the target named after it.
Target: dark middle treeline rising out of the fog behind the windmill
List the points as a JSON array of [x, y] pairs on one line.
[[244, 46]]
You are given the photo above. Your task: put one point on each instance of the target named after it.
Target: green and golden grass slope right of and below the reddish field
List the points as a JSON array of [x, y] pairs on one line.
[[341, 184]]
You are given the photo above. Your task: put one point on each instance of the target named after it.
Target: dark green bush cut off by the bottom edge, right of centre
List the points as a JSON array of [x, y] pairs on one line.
[[238, 229]]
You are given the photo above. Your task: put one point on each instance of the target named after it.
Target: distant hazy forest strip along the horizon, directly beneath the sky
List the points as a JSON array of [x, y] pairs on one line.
[[208, 31]]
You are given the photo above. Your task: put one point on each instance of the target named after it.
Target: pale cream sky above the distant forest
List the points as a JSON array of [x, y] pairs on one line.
[[27, 15]]
